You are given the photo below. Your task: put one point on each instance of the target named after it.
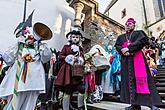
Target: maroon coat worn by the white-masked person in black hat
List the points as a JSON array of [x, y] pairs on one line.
[[64, 77]]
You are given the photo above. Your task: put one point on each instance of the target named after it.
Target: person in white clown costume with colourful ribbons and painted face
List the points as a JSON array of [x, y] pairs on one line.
[[25, 79]]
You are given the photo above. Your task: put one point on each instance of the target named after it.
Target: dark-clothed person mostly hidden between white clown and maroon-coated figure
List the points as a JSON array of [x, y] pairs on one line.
[[49, 67]]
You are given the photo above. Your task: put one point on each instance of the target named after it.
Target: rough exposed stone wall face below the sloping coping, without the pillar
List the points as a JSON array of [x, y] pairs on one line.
[[101, 30]]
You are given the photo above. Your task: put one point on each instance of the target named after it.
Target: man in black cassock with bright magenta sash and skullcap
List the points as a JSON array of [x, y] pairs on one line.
[[137, 85]]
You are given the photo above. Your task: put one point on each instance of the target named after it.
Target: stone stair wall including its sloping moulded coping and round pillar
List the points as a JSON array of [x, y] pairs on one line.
[[97, 28]]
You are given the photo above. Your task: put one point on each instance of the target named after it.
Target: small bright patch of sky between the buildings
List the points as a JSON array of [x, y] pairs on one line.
[[103, 5]]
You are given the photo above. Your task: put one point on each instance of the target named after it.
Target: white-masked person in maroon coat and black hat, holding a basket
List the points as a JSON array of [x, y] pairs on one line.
[[71, 54]]
